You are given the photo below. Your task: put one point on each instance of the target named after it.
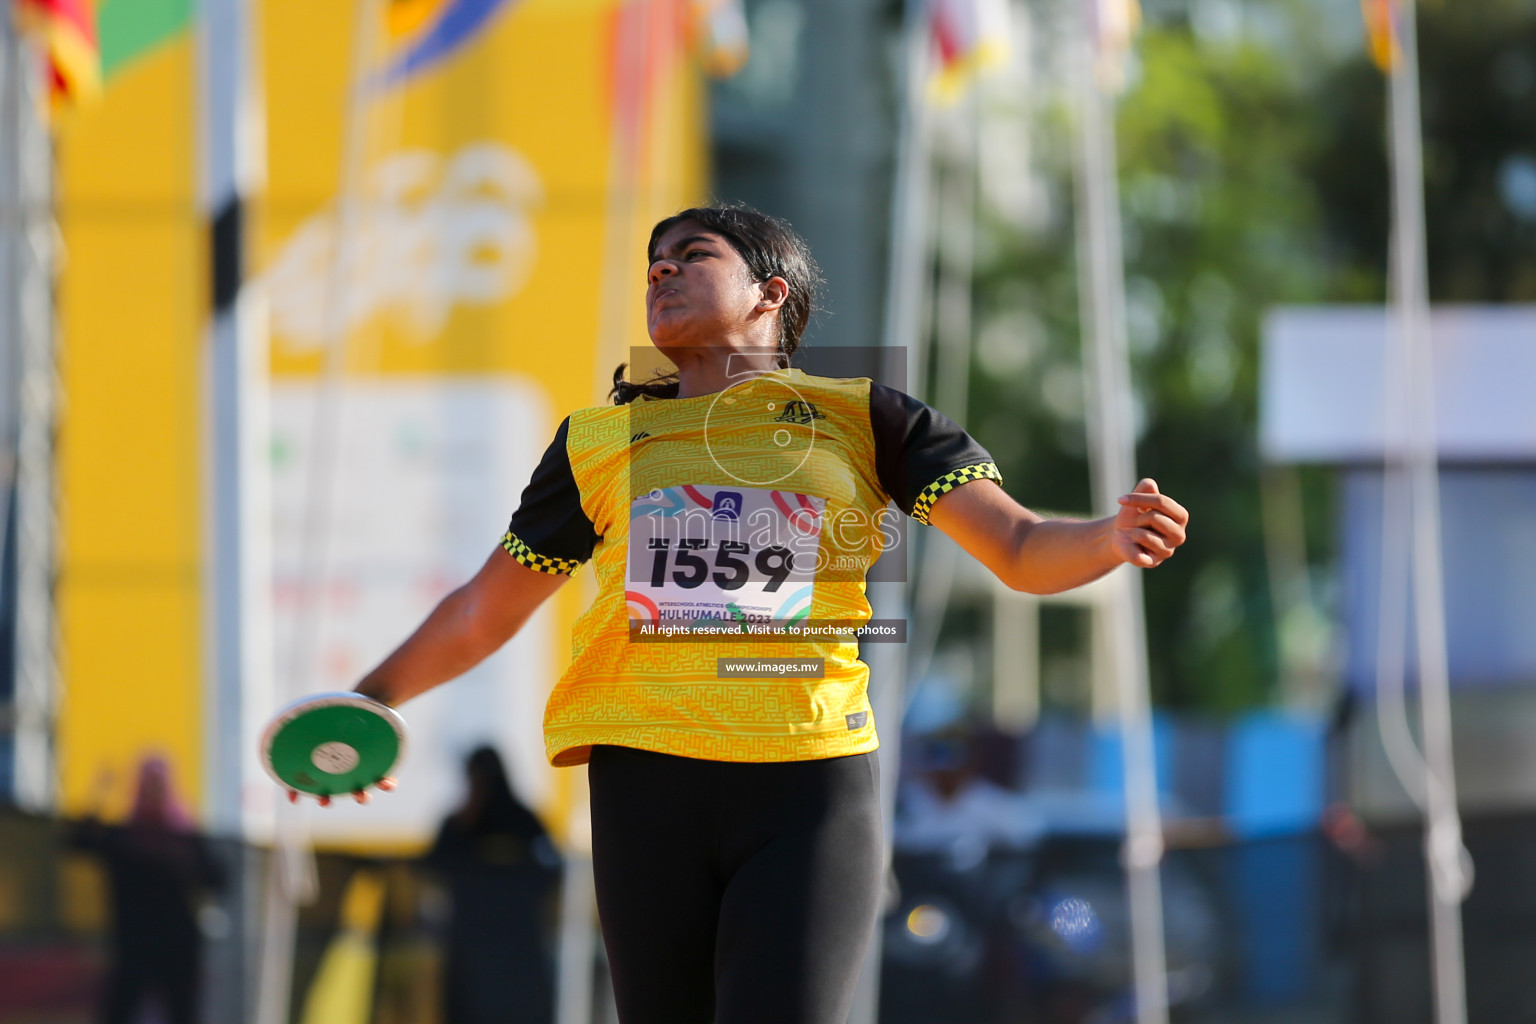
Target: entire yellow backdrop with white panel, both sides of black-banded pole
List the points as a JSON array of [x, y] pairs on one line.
[[457, 199]]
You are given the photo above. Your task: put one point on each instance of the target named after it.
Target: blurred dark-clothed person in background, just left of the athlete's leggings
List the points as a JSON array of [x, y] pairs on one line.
[[500, 870]]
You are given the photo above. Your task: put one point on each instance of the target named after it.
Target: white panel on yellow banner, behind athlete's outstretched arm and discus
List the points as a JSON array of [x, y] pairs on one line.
[[426, 475]]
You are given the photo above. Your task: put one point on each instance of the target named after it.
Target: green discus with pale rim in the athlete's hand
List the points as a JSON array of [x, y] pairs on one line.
[[329, 745]]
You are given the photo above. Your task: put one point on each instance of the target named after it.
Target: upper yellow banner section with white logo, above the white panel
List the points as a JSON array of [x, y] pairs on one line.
[[477, 230]]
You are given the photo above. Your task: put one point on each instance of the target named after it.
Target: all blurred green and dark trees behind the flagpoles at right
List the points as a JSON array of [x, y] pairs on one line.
[[1253, 168]]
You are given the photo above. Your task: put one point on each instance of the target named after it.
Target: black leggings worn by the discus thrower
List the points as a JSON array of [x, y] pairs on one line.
[[735, 893]]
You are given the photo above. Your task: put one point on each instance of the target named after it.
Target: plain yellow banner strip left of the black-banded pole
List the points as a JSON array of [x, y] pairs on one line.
[[133, 312]]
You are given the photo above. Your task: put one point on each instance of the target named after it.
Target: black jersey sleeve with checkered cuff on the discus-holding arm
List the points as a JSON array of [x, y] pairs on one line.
[[551, 533]]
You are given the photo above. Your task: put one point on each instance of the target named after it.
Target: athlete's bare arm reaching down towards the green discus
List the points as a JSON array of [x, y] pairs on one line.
[[466, 629]]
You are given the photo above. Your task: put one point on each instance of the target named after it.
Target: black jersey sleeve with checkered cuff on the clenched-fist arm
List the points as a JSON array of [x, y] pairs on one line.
[[921, 454]]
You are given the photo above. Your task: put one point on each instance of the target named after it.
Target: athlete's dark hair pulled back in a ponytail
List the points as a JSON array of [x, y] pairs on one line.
[[770, 249]]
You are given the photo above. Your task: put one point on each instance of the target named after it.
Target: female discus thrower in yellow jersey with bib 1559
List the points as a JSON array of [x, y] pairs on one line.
[[735, 799]]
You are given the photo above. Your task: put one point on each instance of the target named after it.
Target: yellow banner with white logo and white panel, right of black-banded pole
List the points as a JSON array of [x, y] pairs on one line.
[[462, 216]]
